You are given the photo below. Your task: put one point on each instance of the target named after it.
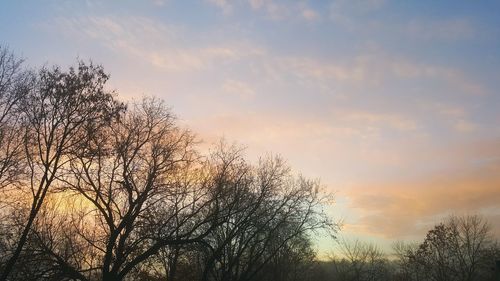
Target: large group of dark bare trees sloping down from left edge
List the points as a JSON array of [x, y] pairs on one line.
[[94, 189]]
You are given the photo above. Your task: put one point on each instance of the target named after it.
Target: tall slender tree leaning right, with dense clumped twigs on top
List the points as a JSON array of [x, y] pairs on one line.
[[57, 113]]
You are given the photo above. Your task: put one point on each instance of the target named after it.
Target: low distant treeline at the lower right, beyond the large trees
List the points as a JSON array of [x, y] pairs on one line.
[[458, 249]]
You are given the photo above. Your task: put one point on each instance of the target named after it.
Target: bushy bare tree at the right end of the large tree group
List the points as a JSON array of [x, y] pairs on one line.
[[266, 208]]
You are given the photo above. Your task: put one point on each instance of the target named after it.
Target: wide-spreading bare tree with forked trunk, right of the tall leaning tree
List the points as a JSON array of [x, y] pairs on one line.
[[145, 190]]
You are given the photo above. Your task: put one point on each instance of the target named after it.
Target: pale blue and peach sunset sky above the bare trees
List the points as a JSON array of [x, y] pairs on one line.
[[393, 105]]
